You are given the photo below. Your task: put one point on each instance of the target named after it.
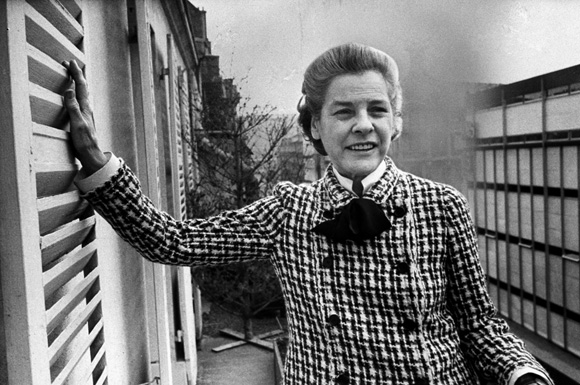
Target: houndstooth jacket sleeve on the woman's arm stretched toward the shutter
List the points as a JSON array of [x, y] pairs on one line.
[[232, 236]]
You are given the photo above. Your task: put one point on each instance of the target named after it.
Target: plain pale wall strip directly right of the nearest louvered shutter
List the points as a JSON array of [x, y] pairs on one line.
[[122, 282]]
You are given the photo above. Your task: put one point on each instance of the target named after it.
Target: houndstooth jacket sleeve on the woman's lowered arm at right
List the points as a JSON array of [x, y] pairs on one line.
[[494, 352]]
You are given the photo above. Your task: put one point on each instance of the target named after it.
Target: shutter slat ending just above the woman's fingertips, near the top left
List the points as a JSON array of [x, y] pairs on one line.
[[44, 36]]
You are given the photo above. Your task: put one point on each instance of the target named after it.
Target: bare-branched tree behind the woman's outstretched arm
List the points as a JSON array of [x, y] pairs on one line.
[[237, 157]]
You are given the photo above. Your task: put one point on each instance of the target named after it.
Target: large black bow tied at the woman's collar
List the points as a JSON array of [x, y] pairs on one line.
[[360, 219]]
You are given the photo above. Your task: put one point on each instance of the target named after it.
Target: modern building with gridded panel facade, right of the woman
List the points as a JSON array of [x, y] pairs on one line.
[[524, 194]]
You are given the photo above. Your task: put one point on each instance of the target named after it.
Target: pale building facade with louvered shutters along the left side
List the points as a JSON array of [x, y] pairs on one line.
[[77, 304]]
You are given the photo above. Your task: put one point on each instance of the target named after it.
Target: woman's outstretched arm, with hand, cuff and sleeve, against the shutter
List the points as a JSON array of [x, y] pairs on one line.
[[233, 236]]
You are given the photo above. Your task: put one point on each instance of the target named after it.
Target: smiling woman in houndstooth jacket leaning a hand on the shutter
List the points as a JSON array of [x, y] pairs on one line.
[[379, 268]]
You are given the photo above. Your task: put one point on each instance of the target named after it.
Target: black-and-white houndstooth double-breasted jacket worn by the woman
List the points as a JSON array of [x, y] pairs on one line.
[[406, 307]]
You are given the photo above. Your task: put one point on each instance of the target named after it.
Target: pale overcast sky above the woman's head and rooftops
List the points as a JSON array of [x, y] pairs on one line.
[[266, 45]]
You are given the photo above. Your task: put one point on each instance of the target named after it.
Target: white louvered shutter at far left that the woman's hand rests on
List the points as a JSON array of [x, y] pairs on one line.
[[51, 232]]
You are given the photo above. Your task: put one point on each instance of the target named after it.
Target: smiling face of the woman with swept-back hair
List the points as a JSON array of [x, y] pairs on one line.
[[355, 123]]
